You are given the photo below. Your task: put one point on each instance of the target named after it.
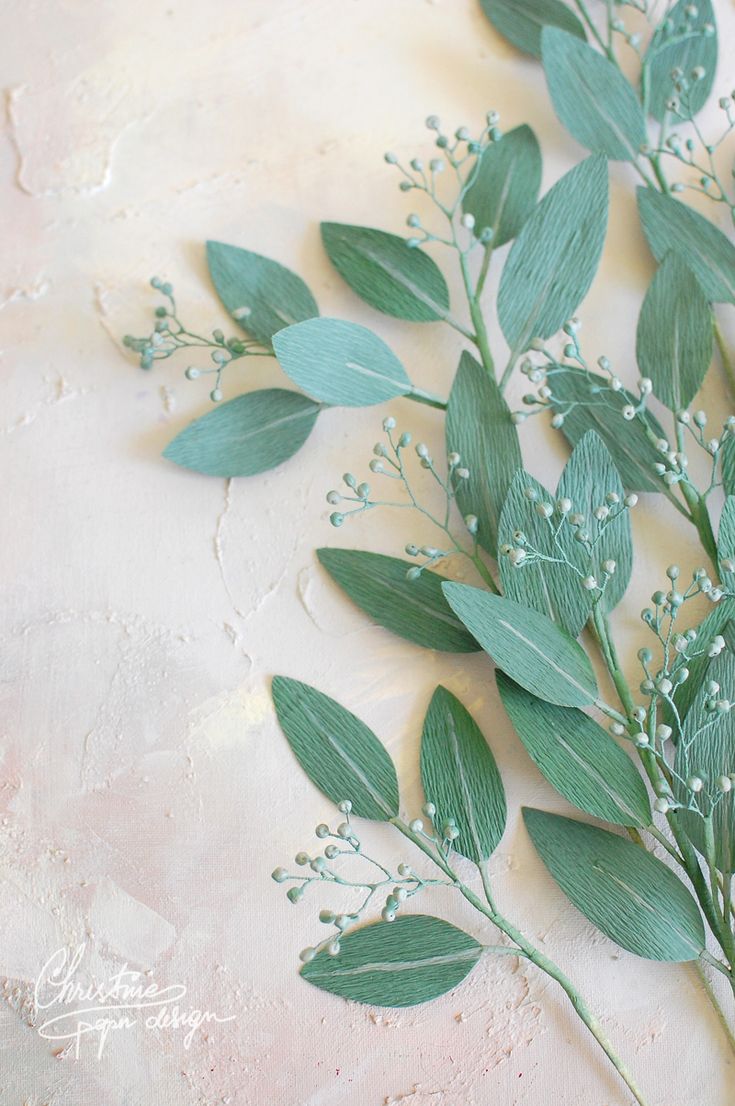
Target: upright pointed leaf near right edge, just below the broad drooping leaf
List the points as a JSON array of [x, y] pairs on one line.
[[675, 337]]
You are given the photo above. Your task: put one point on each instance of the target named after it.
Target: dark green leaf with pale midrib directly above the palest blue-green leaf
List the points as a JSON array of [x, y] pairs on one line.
[[386, 273]]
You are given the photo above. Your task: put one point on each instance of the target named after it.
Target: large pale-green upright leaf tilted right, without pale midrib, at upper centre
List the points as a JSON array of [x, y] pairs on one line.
[[555, 257]]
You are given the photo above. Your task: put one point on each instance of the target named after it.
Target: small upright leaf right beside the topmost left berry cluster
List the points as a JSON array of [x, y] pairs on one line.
[[506, 186]]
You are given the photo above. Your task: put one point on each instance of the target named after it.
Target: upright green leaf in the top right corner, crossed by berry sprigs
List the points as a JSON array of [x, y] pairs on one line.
[[686, 53]]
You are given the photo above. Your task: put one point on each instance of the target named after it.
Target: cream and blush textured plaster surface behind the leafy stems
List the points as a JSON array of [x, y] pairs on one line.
[[145, 789]]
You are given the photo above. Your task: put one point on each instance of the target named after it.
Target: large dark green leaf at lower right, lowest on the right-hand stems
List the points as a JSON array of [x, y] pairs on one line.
[[628, 894]]
